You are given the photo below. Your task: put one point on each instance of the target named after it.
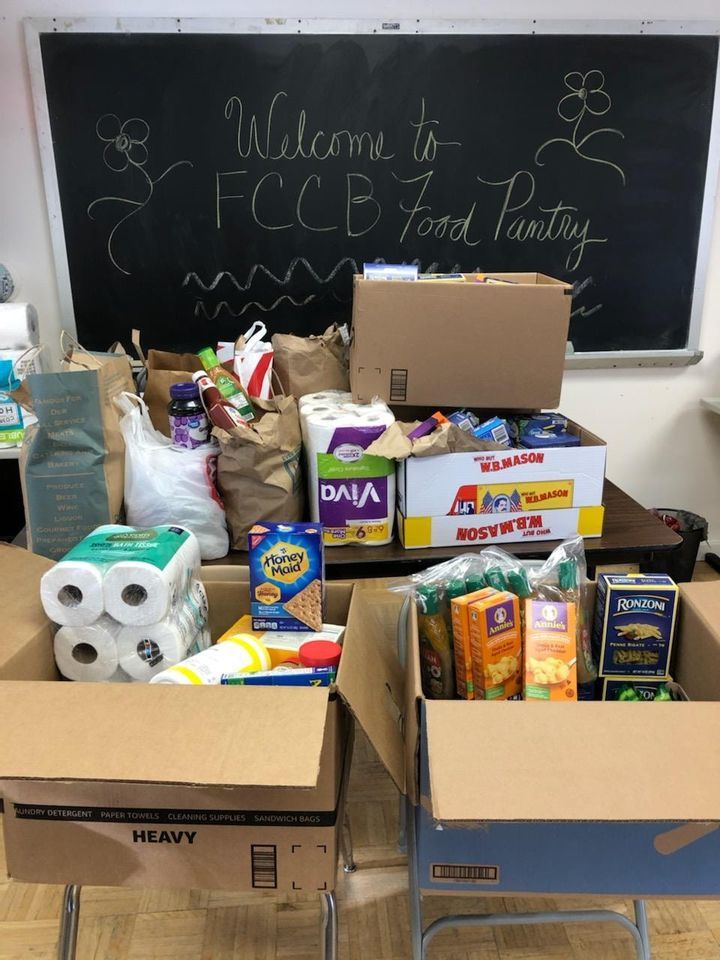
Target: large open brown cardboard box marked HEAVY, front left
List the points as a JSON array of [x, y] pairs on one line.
[[137, 785]]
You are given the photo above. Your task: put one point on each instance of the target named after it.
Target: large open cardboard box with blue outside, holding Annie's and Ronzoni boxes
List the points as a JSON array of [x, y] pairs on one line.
[[527, 798]]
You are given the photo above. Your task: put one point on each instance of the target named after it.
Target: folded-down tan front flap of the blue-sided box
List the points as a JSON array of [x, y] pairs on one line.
[[506, 761]]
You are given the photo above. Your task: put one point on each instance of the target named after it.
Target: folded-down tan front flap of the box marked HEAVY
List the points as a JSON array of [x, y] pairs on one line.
[[252, 740]]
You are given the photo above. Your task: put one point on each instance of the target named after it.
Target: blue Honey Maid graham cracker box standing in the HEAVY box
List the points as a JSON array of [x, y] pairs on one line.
[[286, 576]]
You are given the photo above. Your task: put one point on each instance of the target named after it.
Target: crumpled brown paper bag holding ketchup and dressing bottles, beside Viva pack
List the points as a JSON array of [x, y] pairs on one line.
[[259, 473]]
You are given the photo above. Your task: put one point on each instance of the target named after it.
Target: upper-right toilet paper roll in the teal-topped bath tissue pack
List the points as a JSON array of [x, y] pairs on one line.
[[138, 593]]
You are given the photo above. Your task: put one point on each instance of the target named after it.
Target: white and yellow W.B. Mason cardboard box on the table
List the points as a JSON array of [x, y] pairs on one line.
[[496, 496]]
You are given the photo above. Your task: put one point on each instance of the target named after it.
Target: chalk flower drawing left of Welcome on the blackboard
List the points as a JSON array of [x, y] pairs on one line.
[[125, 147]]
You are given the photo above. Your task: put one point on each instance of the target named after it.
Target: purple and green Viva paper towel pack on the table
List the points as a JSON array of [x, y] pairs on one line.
[[351, 494]]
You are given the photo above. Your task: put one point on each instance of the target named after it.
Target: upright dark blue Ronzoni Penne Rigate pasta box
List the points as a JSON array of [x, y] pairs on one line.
[[634, 624]]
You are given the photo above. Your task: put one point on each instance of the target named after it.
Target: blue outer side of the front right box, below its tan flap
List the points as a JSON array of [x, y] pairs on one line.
[[660, 859]]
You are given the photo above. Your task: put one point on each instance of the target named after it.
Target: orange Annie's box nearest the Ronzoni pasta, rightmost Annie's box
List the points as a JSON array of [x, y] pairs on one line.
[[550, 651]]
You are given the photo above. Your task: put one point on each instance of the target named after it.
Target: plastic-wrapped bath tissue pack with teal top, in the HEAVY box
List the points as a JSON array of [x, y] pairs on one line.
[[128, 602]]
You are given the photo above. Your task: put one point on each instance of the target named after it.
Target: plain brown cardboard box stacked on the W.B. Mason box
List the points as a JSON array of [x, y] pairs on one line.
[[428, 344]]
